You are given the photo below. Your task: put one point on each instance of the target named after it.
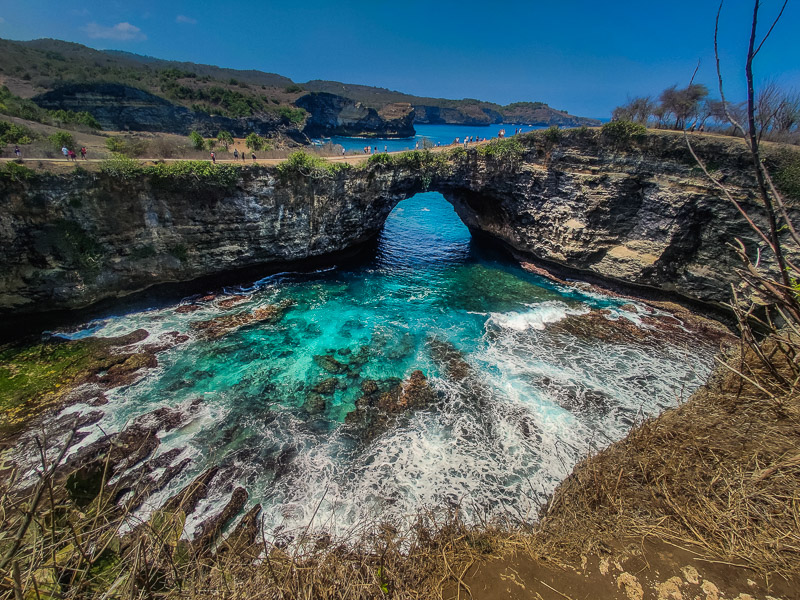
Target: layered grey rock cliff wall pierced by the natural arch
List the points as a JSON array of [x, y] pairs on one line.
[[642, 215]]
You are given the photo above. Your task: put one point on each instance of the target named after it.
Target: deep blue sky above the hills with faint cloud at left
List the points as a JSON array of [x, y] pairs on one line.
[[579, 55]]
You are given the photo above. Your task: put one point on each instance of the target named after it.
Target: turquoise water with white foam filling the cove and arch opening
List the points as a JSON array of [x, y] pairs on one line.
[[496, 442]]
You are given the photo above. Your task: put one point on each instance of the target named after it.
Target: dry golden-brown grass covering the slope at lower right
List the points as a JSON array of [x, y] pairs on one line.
[[720, 474]]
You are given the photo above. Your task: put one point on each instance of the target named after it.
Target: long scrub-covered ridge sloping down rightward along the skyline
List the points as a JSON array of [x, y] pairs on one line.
[[33, 67]]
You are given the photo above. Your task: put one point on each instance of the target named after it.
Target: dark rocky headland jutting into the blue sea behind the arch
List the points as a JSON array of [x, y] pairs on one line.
[[336, 115]]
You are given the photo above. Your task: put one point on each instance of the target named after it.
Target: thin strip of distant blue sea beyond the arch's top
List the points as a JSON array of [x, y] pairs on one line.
[[435, 134]]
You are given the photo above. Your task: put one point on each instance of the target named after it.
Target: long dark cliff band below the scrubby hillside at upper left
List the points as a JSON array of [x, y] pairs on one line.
[[124, 108]]
